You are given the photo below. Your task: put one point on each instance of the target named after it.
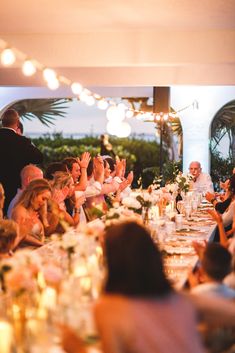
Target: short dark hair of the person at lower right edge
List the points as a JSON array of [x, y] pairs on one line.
[[216, 261]]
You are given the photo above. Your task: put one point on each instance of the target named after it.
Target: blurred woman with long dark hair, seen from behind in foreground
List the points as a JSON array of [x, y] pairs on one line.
[[139, 311]]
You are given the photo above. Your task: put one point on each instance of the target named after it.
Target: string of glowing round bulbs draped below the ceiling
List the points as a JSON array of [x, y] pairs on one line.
[[115, 111]]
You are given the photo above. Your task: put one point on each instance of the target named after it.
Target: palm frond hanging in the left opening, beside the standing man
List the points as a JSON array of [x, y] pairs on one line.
[[45, 110]]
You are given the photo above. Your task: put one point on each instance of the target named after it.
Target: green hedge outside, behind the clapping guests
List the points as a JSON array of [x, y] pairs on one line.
[[142, 156]]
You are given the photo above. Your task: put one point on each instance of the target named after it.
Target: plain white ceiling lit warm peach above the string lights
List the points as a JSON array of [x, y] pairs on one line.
[[124, 43]]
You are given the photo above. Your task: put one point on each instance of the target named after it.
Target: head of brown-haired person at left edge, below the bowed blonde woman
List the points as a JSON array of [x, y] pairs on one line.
[[8, 234]]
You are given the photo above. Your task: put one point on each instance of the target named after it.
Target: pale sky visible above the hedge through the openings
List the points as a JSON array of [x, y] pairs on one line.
[[83, 119]]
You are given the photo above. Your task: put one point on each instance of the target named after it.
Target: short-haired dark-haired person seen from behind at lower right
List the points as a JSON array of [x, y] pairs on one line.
[[216, 264]]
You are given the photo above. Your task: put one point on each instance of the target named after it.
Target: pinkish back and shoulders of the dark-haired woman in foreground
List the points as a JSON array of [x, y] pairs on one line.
[[147, 326]]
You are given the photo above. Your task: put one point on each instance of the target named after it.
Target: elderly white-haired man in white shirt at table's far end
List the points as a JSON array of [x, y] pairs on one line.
[[201, 181]]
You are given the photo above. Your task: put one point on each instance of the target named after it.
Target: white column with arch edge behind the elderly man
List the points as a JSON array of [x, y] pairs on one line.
[[196, 122]]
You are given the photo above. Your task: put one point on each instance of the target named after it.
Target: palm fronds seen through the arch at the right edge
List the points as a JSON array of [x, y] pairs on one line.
[[222, 125]]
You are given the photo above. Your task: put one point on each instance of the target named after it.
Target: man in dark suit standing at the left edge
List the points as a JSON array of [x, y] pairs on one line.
[[16, 151]]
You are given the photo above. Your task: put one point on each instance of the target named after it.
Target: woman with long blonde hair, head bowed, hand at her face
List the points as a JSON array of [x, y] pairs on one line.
[[30, 212]]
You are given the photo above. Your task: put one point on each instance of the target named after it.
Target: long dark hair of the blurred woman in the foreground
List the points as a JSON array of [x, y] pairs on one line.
[[134, 262]]
